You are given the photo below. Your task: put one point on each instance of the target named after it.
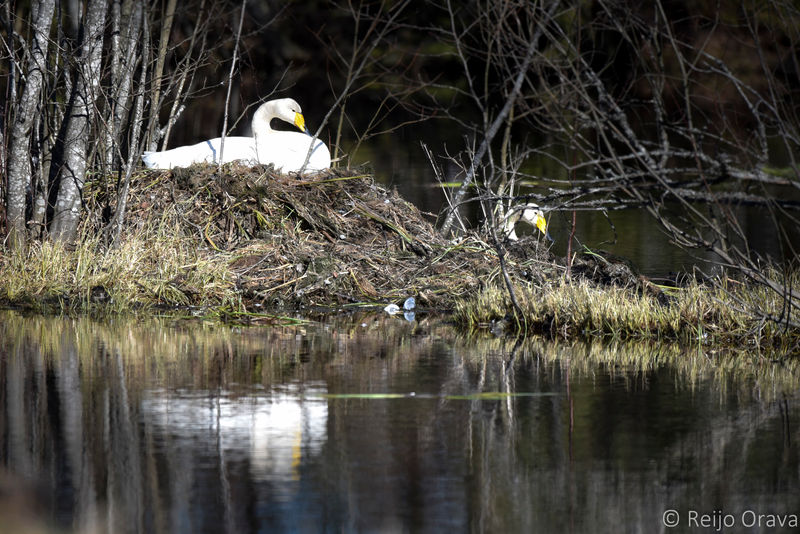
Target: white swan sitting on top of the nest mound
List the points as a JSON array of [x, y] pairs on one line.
[[285, 150]]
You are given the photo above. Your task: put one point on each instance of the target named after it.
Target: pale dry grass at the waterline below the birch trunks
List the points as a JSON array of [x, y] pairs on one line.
[[150, 269]]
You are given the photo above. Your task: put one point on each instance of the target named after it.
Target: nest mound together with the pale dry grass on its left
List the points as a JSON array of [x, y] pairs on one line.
[[248, 239]]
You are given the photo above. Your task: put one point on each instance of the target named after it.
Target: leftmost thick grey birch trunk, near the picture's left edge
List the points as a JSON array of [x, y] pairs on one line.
[[19, 163]]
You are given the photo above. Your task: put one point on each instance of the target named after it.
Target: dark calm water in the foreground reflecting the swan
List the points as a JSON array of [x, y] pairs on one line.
[[375, 424]]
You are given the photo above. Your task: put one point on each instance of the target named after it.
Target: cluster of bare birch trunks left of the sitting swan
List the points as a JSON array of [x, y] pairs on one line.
[[79, 110]]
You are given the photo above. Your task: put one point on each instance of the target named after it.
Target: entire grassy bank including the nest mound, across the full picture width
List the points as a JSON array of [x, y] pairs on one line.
[[248, 242]]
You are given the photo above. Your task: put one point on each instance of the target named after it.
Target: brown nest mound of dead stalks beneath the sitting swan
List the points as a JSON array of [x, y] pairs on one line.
[[327, 240]]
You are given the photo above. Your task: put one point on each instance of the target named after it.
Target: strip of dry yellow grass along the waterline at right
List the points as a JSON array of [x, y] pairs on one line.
[[695, 313]]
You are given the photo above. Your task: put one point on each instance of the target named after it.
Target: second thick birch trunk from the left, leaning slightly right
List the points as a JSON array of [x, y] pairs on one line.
[[76, 141]]
